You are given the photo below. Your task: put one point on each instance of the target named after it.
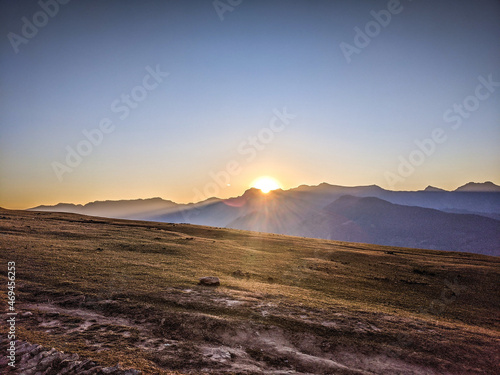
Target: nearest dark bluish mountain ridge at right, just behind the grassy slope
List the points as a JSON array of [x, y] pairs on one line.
[[373, 220]]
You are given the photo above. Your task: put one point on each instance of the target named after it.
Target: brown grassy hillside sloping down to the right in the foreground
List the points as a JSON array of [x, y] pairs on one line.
[[126, 291]]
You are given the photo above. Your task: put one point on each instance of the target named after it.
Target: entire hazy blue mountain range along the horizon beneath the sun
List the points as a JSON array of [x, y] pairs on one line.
[[466, 219]]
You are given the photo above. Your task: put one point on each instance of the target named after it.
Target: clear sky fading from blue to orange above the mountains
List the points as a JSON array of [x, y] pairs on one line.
[[190, 99]]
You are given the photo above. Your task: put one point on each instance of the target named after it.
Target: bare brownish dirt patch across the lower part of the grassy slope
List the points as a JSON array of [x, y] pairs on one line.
[[188, 341]]
